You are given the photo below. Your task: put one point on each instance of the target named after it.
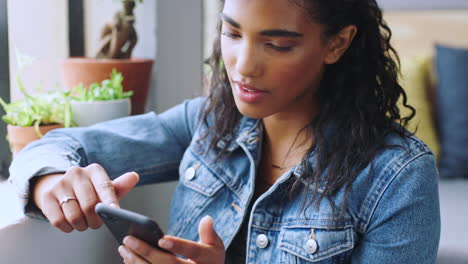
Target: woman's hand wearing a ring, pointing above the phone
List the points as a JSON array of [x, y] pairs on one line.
[[68, 200]]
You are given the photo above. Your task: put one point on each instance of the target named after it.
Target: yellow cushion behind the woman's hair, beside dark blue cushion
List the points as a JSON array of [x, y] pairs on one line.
[[416, 81]]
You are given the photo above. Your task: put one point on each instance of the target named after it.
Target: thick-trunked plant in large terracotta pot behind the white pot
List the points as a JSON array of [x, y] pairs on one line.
[[118, 38]]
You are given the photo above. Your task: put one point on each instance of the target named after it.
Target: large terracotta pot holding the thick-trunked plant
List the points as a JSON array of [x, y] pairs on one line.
[[136, 72]]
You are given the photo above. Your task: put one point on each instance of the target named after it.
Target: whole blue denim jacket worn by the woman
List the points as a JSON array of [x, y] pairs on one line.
[[392, 214]]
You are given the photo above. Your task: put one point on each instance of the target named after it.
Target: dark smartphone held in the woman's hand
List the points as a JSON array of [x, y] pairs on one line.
[[122, 223]]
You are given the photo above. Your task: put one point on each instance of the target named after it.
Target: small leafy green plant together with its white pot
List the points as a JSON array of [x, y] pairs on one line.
[[100, 101]]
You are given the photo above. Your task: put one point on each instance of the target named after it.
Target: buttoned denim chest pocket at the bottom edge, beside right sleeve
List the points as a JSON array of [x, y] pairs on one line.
[[315, 244]]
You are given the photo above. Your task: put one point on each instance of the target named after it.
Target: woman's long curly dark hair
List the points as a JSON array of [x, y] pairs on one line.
[[358, 94]]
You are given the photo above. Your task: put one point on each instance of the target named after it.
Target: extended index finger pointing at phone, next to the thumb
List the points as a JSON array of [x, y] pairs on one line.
[[102, 184]]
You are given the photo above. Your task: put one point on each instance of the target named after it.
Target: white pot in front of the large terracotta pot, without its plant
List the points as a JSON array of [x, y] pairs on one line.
[[90, 113]]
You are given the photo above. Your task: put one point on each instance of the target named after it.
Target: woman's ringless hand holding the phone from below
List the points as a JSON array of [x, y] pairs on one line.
[[210, 249]]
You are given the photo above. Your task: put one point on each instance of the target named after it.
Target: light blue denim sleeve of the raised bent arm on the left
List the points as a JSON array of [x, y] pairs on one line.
[[149, 144]]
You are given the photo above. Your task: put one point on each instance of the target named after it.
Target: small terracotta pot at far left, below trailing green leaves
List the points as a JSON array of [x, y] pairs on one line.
[[19, 137]]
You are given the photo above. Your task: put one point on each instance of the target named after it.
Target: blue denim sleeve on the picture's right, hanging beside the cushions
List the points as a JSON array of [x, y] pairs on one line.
[[405, 224]]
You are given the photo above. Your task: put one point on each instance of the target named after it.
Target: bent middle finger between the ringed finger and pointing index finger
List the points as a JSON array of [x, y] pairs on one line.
[[87, 199]]
